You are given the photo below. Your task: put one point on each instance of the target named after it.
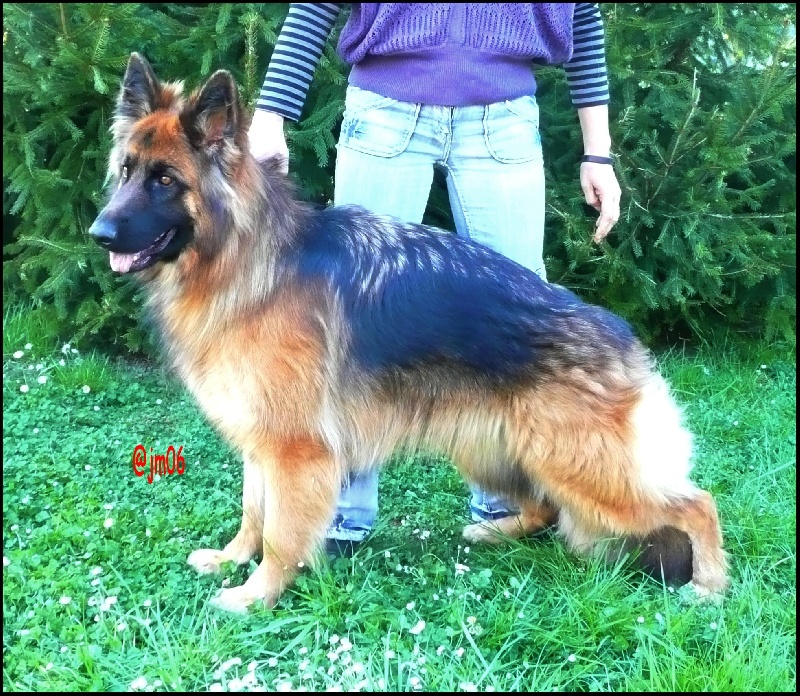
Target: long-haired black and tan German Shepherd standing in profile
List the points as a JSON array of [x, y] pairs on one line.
[[319, 341]]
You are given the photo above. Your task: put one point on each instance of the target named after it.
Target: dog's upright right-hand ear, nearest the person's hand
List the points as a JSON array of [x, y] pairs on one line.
[[213, 118]]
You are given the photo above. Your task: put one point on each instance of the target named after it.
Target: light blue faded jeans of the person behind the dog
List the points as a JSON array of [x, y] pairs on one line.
[[492, 156]]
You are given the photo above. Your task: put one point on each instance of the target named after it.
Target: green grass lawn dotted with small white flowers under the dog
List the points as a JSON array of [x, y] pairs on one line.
[[97, 593]]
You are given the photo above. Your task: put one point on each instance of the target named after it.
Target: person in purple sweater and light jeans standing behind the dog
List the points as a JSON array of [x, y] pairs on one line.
[[448, 85]]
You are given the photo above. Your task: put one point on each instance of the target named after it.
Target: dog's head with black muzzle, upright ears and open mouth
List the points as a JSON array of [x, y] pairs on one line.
[[168, 152]]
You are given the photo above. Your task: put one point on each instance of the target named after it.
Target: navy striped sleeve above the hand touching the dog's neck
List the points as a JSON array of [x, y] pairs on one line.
[[297, 52]]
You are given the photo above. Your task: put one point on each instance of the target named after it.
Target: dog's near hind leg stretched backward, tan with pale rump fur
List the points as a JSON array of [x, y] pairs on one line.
[[625, 472]]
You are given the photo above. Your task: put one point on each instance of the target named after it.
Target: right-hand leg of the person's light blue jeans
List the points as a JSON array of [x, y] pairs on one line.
[[496, 186]]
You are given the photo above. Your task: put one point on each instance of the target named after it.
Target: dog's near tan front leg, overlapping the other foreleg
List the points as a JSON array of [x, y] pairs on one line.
[[301, 482]]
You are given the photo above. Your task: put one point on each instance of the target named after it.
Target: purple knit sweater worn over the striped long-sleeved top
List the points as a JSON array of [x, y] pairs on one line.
[[454, 53]]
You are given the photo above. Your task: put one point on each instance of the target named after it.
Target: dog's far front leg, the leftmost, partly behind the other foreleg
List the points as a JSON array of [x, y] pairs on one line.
[[247, 542]]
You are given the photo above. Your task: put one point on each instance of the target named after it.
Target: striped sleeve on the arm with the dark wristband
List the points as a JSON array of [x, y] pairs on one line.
[[586, 70]]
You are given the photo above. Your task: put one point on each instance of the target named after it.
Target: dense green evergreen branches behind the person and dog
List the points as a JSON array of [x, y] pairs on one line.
[[702, 118]]
